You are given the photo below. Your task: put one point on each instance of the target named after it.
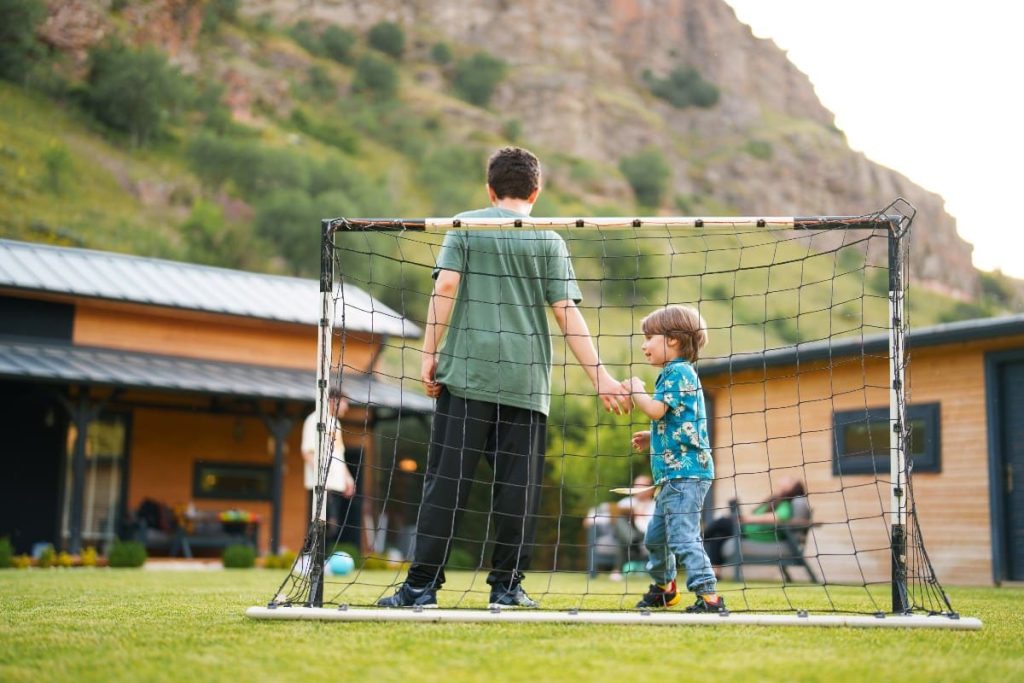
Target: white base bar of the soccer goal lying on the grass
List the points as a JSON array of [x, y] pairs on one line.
[[632, 618]]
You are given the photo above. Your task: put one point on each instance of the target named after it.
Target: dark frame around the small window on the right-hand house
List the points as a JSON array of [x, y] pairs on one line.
[[930, 460]]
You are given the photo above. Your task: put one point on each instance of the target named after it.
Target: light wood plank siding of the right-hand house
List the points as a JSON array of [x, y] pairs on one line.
[[780, 422]]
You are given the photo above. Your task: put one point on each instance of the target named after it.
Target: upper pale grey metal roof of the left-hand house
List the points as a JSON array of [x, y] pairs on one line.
[[84, 273]]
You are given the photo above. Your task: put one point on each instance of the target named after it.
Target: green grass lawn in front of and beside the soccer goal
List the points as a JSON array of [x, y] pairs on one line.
[[170, 626]]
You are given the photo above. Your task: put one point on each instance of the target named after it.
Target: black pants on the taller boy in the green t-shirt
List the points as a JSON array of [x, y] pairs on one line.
[[513, 440]]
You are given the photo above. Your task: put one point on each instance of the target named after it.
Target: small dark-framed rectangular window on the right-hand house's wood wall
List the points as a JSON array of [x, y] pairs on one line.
[[862, 440]]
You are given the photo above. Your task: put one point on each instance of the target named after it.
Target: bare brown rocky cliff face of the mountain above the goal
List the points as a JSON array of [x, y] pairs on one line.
[[576, 86]]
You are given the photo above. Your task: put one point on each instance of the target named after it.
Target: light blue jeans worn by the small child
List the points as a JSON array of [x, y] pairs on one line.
[[674, 536]]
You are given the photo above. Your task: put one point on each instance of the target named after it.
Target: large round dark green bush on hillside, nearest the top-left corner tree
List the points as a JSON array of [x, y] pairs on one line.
[[138, 93]]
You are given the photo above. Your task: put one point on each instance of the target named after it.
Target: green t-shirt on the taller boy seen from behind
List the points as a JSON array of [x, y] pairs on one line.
[[498, 346]]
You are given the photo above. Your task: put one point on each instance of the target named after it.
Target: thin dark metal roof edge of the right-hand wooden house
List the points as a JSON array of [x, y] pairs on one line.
[[951, 333]]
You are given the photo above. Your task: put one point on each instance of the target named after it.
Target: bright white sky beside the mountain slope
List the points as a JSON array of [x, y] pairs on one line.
[[931, 89]]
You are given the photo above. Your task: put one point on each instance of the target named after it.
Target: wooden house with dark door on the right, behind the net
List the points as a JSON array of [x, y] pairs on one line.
[[821, 412]]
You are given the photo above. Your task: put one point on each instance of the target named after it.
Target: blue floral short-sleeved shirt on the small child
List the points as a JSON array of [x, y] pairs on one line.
[[679, 445]]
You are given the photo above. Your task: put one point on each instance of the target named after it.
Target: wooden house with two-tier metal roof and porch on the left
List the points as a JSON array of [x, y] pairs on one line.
[[126, 379]]
